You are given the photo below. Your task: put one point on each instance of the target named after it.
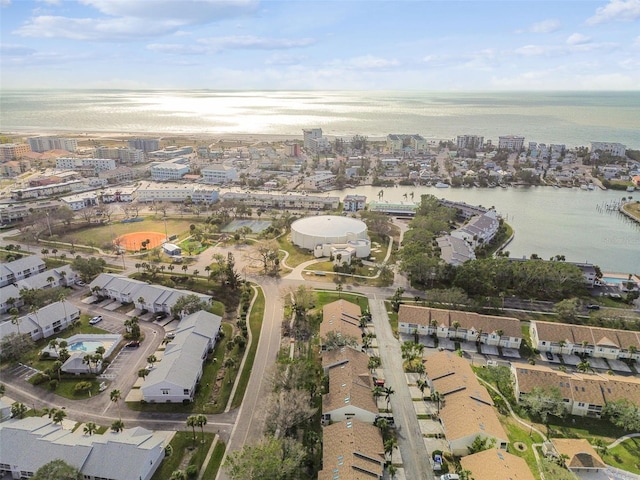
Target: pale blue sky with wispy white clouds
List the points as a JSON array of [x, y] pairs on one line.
[[321, 45]]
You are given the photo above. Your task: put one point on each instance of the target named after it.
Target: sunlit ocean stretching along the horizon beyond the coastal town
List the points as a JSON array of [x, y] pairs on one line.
[[571, 118]]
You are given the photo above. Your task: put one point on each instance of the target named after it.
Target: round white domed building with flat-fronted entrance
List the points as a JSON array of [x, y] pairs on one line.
[[329, 235]]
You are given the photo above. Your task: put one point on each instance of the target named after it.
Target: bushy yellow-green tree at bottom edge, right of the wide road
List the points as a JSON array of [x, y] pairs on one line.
[[272, 458]]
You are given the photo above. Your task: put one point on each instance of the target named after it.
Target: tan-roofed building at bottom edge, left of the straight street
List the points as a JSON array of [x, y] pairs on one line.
[[352, 450]]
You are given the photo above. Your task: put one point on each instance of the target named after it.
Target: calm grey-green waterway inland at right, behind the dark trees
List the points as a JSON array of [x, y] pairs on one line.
[[547, 221]]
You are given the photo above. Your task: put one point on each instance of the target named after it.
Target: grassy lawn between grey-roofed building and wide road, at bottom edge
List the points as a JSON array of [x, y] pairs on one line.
[[184, 454]]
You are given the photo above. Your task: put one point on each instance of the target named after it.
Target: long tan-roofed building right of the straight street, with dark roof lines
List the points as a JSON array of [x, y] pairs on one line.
[[467, 411]]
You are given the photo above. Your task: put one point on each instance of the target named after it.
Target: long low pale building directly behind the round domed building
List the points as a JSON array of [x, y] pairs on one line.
[[284, 201]]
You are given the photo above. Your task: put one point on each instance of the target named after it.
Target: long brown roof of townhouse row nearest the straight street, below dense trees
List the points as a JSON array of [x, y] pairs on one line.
[[467, 320]]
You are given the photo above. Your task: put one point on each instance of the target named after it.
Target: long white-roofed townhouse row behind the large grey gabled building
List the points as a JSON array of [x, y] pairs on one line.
[[154, 298]]
